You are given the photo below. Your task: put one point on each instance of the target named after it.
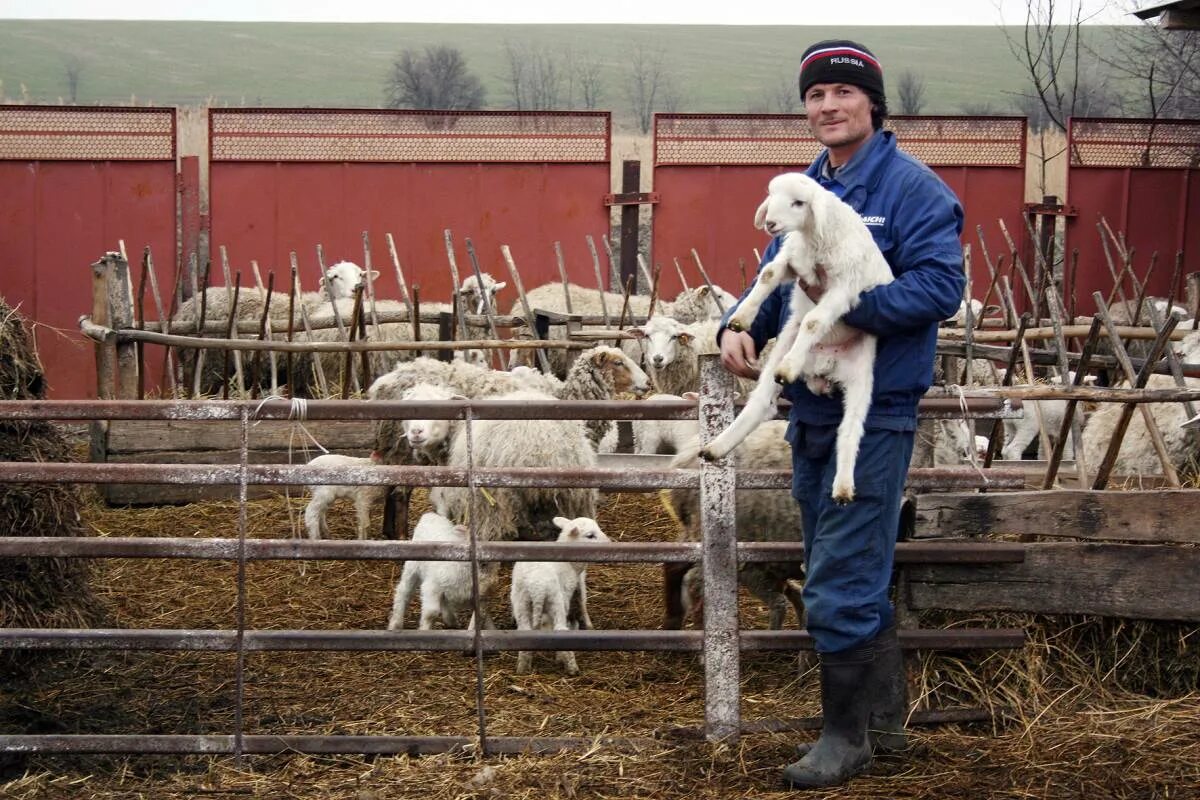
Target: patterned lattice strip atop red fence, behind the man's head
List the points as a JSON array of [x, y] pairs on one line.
[[705, 140]]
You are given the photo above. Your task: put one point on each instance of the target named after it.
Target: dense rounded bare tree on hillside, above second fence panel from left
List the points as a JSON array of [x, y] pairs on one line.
[[436, 79]]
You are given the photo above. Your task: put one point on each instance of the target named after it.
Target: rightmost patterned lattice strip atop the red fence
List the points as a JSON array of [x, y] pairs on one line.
[[1114, 143]]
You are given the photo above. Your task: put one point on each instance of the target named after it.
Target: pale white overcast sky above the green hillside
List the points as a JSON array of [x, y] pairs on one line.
[[694, 13]]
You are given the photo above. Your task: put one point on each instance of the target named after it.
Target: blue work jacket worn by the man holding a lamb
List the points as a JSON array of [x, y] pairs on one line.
[[916, 221]]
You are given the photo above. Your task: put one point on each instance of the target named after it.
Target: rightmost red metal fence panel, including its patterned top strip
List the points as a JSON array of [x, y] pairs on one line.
[[1142, 178]]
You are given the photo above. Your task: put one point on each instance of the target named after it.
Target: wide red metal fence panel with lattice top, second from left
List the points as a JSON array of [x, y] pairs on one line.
[[291, 181]]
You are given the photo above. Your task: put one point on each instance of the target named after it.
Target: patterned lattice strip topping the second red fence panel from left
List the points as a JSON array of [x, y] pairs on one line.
[[401, 136]]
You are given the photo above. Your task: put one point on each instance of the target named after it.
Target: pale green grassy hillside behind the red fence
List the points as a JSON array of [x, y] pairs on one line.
[[713, 69]]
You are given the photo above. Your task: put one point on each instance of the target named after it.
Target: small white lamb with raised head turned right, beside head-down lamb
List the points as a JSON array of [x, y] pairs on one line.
[[543, 591]]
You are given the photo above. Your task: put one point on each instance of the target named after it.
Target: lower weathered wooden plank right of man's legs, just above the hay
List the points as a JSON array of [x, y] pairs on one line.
[[1132, 581]]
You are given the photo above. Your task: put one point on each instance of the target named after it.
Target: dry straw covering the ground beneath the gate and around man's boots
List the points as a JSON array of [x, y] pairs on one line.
[[1089, 709]]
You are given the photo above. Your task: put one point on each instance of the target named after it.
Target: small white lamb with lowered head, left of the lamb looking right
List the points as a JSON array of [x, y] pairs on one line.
[[445, 586]]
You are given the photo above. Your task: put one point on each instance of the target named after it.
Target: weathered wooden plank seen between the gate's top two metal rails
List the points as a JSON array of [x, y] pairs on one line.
[[188, 436]]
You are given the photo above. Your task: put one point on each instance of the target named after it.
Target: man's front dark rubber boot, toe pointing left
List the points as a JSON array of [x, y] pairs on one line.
[[843, 750]]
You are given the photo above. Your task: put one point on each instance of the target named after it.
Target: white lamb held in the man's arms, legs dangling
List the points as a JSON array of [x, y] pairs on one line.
[[830, 249]]
